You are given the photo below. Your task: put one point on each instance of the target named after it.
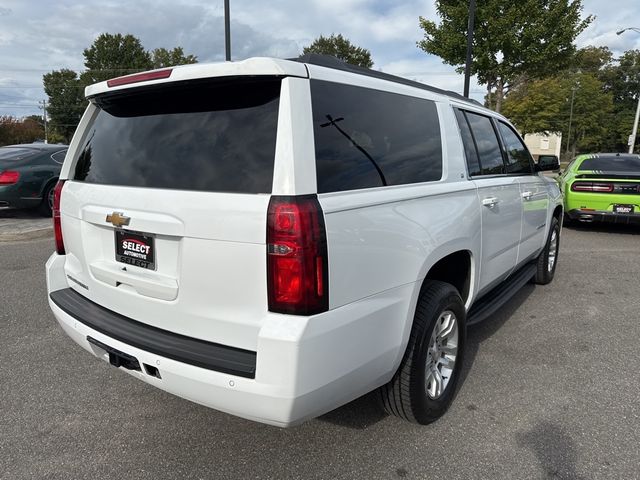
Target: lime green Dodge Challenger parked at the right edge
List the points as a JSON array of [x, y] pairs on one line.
[[602, 187]]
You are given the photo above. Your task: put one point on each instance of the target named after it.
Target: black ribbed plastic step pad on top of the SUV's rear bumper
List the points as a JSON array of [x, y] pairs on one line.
[[181, 348]]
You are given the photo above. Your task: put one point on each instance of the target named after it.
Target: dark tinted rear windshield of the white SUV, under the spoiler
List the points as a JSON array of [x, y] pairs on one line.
[[207, 135]]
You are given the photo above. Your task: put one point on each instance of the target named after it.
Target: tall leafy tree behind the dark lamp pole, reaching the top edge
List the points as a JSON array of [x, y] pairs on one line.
[[512, 42]]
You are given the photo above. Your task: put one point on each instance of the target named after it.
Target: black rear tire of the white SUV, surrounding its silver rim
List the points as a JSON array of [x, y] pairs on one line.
[[406, 394]]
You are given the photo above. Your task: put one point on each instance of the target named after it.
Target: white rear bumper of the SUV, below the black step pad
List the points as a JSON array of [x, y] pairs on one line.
[[304, 366]]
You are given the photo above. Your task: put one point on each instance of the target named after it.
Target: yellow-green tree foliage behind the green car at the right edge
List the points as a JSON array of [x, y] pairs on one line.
[[604, 104]]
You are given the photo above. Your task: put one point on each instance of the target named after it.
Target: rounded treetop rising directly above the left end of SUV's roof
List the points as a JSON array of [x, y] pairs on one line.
[[113, 56]]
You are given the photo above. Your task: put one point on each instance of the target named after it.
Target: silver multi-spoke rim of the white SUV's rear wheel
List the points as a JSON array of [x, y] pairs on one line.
[[442, 354]]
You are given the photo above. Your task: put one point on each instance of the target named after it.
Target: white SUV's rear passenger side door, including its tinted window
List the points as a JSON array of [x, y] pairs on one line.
[[498, 198]]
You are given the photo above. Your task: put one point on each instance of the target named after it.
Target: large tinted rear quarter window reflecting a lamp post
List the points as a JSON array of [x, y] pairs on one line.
[[367, 138]]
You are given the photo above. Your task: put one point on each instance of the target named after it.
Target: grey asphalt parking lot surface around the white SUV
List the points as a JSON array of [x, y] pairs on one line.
[[550, 390]]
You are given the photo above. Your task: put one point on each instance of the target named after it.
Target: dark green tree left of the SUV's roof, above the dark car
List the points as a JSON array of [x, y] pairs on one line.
[[66, 101]]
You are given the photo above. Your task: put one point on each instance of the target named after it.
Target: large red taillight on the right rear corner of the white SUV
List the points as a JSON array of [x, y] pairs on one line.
[[297, 266]]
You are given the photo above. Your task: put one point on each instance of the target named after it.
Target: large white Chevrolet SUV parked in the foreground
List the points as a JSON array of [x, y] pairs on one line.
[[275, 238]]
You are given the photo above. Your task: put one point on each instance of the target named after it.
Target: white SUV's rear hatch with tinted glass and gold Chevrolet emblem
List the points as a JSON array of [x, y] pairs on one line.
[[164, 212]]
